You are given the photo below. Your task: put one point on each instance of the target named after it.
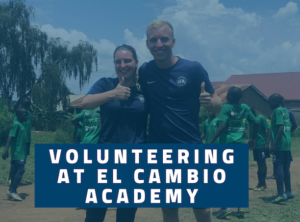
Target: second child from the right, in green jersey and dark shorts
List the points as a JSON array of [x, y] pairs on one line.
[[260, 153]]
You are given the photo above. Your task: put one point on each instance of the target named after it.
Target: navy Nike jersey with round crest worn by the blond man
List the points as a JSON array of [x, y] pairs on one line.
[[173, 94]]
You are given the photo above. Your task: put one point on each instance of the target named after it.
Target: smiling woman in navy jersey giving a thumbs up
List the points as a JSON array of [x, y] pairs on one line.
[[123, 114]]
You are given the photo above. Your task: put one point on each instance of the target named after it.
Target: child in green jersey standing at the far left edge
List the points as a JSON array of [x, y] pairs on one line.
[[17, 139]]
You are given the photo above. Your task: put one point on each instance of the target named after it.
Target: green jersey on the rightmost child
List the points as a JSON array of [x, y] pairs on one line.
[[280, 117]]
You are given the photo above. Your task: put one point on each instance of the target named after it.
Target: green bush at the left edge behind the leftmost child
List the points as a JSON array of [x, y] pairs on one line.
[[6, 120]]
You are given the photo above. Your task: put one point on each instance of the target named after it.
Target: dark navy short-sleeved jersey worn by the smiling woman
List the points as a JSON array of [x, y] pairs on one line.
[[123, 121]]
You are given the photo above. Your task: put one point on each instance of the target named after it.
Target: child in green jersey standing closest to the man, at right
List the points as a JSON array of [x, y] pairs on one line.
[[232, 129]]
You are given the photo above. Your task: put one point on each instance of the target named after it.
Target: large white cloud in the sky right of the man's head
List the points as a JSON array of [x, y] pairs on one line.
[[230, 41]]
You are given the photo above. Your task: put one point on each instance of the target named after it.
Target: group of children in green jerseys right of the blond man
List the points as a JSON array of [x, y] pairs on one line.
[[230, 127]]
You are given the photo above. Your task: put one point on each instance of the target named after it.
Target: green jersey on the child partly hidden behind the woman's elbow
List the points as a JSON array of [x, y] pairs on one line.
[[90, 125]]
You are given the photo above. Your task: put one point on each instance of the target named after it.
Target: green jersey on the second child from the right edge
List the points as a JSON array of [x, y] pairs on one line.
[[262, 136]]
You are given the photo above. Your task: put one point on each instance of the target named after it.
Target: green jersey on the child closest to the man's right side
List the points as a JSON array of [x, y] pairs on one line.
[[235, 116]]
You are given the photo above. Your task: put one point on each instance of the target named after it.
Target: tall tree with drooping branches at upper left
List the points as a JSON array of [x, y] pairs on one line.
[[30, 62]]
